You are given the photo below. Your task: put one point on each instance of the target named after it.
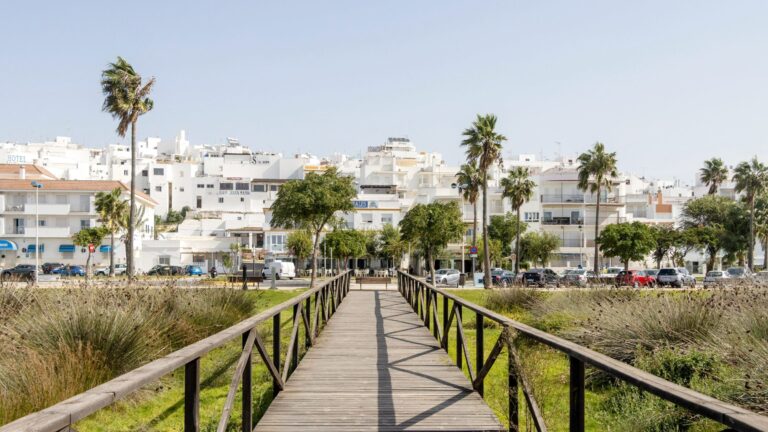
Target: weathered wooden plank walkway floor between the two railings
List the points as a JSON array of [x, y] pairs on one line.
[[376, 367]]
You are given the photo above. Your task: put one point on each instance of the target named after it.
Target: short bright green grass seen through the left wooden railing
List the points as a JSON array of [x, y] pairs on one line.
[[160, 406]]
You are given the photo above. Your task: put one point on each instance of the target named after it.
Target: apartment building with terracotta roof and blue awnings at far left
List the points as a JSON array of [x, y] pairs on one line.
[[54, 213]]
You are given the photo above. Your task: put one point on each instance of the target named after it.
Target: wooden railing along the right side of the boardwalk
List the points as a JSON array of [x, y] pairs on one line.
[[424, 299]]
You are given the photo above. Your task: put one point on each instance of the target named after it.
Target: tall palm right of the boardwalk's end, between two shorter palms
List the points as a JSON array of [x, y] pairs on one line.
[[483, 145]]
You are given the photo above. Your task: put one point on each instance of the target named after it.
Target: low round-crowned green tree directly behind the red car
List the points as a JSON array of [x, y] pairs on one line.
[[627, 241]]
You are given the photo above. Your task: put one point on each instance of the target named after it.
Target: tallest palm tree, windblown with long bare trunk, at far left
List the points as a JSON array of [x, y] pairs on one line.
[[127, 98]]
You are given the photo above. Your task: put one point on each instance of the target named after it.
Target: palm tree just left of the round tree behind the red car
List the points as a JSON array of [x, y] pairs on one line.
[[596, 171]]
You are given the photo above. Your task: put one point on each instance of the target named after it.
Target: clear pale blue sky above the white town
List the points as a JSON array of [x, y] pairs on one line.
[[666, 84]]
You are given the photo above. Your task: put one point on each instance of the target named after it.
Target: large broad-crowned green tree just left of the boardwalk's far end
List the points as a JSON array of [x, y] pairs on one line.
[[312, 203]]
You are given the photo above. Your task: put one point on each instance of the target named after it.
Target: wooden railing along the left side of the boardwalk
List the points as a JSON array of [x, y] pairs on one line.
[[310, 309]]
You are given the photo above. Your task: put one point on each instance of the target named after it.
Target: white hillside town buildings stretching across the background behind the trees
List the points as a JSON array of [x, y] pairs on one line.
[[200, 203]]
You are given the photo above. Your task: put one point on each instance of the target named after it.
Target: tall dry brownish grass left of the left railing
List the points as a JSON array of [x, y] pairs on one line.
[[59, 342]]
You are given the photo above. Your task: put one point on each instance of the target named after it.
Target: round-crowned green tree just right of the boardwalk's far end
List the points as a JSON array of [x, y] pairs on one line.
[[430, 227]]
